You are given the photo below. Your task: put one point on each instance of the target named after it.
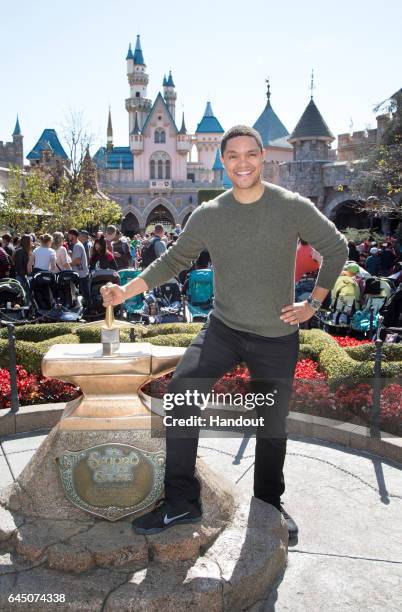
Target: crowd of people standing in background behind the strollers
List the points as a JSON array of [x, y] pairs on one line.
[[21, 256]]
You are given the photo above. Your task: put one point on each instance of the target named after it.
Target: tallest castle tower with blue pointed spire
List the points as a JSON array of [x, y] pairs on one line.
[[138, 81]]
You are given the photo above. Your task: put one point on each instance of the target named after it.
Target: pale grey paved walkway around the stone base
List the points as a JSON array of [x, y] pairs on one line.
[[348, 506]]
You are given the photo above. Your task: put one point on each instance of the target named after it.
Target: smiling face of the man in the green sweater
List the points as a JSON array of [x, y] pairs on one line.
[[243, 161]]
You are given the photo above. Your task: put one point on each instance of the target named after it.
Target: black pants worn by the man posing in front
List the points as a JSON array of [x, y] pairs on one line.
[[271, 363]]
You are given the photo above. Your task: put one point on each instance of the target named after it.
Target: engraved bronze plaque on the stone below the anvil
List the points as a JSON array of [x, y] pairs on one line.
[[112, 480]]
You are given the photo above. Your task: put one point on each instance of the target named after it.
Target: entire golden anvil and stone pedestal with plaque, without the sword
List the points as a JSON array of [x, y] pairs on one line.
[[49, 543]]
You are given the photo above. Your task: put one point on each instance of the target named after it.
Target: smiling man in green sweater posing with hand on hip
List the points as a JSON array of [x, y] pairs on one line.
[[255, 319]]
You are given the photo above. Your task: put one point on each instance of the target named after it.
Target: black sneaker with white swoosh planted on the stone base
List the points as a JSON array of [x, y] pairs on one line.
[[167, 514]]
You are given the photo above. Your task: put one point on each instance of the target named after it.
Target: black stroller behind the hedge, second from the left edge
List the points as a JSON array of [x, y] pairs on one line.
[[56, 296]]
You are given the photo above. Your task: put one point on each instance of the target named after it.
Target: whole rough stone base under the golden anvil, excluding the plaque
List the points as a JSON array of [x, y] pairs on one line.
[[48, 545]]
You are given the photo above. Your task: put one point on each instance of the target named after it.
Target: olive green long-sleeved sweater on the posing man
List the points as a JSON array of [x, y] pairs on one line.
[[253, 248]]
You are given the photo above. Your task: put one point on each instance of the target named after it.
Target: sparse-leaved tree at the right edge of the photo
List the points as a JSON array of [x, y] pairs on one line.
[[378, 181]]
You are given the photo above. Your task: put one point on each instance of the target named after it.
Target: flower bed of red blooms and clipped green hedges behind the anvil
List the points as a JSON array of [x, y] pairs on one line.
[[332, 378]]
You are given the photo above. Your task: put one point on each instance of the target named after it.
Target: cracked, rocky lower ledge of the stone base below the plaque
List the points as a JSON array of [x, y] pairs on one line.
[[106, 566]]
